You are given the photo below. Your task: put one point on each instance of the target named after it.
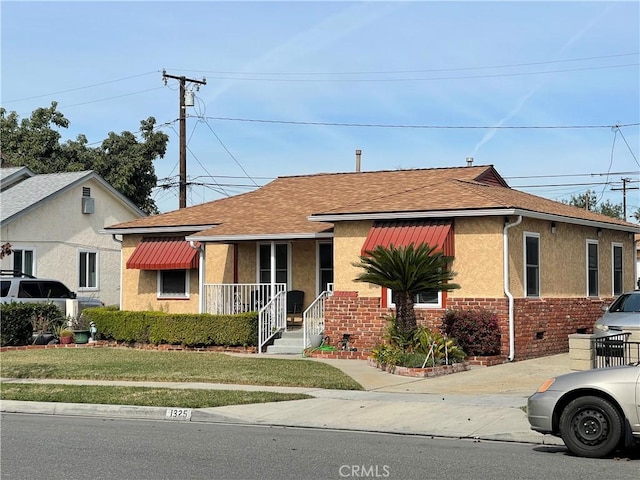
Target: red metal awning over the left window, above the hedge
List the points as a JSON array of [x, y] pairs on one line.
[[163, 253]]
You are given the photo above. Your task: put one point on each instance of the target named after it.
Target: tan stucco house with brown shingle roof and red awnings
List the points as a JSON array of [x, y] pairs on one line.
[[544, 267]]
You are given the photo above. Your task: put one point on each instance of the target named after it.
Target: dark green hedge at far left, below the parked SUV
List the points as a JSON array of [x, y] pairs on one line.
[[18, 321]]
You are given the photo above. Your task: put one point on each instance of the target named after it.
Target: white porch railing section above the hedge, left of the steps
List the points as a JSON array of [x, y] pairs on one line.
[[230, 298]]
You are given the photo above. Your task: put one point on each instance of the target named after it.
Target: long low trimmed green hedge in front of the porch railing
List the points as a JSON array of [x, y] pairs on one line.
[[189, 330]]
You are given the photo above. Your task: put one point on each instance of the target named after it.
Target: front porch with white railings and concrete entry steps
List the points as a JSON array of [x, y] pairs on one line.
[[274, 308]]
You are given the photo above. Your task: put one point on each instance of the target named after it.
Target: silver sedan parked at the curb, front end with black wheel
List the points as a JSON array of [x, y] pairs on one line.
[[594, 411]]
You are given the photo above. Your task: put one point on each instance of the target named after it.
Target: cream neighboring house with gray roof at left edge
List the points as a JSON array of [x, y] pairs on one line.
[[53, 222]]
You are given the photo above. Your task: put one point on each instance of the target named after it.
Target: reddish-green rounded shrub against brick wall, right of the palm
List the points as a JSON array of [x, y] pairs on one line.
[[477, 331]]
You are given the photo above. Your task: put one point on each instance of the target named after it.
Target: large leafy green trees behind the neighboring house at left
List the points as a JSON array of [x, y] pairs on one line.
[[122, 160]]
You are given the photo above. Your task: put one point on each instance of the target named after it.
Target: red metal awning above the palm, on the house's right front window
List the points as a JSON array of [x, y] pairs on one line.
[[435, 233]]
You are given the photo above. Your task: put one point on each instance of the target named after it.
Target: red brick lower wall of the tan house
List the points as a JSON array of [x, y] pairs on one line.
[[542, 325]]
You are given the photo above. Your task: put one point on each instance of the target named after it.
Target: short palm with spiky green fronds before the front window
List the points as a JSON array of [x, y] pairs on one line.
[[407, 271]]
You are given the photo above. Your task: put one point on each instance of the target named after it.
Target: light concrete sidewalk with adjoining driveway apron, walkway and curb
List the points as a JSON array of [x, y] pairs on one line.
[[482, 403]]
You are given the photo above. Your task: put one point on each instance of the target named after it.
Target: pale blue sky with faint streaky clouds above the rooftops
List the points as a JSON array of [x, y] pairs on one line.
[[546, 92]]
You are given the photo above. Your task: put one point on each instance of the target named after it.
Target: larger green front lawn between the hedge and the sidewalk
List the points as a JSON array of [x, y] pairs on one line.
[[144, 365]]
